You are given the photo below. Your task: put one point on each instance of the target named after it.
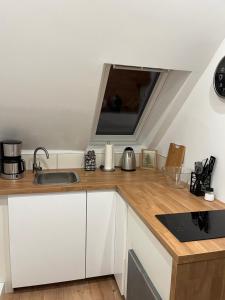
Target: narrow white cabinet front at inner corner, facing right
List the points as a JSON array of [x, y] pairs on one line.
[[120, 242]]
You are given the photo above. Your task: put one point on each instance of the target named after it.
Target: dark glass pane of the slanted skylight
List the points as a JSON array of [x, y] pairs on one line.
[[128, 92]]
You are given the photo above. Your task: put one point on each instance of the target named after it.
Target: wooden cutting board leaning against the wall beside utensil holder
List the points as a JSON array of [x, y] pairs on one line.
[[175, 157]]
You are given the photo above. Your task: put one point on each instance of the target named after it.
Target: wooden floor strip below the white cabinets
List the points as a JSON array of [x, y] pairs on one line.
[[104, 288]]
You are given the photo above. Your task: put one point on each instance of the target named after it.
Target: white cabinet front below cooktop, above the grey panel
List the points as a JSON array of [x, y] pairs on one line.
[[154, 258]]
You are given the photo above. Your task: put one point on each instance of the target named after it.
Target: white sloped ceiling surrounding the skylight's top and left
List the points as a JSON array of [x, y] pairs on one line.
[[52, 54]]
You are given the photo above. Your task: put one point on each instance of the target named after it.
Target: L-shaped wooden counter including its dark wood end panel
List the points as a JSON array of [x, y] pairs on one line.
[[198, 267]]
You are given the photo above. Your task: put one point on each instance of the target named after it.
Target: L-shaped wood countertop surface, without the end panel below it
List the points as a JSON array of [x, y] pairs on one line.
[[148, 194]]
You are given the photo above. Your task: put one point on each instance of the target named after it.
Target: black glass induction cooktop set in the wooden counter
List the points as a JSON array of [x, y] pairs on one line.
[[195, 226]]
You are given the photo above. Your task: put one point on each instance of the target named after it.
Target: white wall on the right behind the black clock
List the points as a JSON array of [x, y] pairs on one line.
[[200, 125]]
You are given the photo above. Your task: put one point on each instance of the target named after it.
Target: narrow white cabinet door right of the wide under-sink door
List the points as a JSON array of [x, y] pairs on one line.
[[100, 233]]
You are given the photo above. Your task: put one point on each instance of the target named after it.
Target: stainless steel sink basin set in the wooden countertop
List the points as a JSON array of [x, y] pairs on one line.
[[56, 178]]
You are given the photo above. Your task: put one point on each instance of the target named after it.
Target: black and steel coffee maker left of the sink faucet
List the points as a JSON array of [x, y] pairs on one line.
[[12, 165]]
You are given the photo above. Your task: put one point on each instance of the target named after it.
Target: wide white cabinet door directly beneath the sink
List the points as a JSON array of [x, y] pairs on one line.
[[47, 238]]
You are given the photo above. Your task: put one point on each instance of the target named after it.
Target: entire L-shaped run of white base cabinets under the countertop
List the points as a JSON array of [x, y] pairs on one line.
[[69, 236]]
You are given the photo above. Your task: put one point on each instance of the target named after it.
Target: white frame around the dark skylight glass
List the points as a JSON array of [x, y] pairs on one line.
[[124, 139]]
